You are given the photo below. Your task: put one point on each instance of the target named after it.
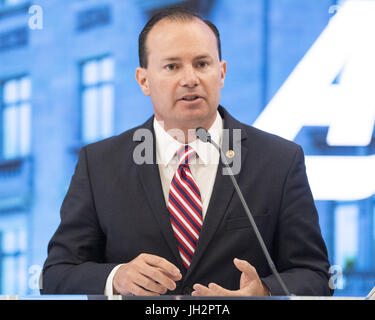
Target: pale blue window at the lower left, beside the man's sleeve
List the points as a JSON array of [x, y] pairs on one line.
[[13, 261]]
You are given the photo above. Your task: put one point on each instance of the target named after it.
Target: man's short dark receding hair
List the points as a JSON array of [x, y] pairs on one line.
[[173, 14]]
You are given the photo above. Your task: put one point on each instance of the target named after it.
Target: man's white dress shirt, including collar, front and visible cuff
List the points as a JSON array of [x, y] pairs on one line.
[[203, 167]]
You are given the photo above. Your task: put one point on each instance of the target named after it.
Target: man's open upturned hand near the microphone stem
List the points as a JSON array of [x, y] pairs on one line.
[[250, 284]]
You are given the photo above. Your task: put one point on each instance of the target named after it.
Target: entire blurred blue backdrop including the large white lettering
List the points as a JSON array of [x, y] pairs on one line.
[[303, 69]]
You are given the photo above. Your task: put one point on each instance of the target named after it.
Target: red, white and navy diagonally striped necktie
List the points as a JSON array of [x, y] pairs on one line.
[[185, 206]]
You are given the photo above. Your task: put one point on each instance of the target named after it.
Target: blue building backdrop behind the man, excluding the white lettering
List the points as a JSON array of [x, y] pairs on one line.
[[48, 51]]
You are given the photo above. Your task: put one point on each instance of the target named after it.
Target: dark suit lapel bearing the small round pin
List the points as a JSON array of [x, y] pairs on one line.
[[222, 192]]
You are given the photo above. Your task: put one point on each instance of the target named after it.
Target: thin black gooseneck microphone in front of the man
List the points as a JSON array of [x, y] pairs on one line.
[[203, 135]]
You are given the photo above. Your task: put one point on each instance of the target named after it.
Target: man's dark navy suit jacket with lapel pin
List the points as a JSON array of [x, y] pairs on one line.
[[115, 210]]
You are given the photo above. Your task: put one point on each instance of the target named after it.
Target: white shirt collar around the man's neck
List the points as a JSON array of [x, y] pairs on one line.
[[167, 146]]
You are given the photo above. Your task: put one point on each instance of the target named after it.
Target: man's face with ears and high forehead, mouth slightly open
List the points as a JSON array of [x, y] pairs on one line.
[[184, 75]]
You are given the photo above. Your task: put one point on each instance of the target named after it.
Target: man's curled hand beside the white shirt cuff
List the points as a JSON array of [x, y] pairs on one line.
[[146, 275]]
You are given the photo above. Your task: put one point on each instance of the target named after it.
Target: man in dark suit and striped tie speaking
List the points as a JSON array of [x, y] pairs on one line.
[[176, 225]]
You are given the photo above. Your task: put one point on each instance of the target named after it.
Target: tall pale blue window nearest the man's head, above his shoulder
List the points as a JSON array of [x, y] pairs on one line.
[[97, 98]]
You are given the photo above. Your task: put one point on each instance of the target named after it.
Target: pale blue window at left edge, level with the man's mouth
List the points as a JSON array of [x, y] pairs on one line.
[[16, 117]]
